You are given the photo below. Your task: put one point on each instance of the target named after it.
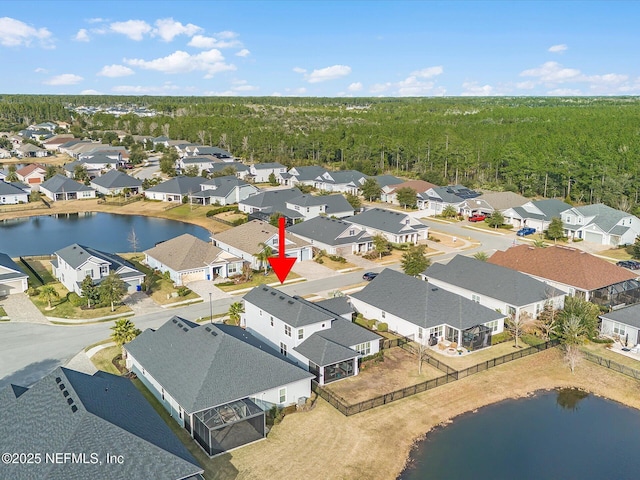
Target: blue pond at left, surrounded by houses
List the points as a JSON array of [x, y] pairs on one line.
[[104, 231]]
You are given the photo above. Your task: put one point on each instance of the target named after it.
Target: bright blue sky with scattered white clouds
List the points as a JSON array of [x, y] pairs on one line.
[[328, 49]]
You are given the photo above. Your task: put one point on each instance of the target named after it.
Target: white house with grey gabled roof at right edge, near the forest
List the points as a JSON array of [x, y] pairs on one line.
[[601, 224]]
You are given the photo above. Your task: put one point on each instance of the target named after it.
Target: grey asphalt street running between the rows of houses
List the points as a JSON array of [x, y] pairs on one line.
[[30, 351]]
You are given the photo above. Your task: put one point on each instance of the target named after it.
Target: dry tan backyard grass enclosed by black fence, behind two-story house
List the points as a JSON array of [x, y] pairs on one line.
[[398, 370]]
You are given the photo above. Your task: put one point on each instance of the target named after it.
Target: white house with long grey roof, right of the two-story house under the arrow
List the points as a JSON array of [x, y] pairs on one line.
[[426, 313]]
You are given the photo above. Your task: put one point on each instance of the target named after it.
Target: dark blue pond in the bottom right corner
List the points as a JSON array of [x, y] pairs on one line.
[[565, 434]]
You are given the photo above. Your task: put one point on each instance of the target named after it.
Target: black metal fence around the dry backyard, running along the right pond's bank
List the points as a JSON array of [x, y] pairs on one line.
[[451, 375]]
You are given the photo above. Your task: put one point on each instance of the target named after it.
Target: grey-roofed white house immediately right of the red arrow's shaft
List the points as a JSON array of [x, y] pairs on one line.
[[336, 237]]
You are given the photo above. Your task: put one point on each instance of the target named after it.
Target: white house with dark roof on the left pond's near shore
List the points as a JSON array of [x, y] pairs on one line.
[[75, 262]]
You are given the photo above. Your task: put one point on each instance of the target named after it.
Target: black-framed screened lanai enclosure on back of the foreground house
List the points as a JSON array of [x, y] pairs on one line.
[[228, 426]]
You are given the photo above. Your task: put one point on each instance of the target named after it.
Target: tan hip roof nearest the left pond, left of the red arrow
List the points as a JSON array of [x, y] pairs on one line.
[[184, 252]]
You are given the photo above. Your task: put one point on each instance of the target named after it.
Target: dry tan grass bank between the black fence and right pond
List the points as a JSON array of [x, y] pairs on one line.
[[376, 444]]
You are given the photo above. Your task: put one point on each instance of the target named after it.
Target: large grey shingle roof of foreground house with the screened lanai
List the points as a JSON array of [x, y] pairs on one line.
[[206, 366]]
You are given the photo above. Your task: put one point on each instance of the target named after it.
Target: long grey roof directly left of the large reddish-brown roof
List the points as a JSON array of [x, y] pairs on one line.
[[495, 281]]
